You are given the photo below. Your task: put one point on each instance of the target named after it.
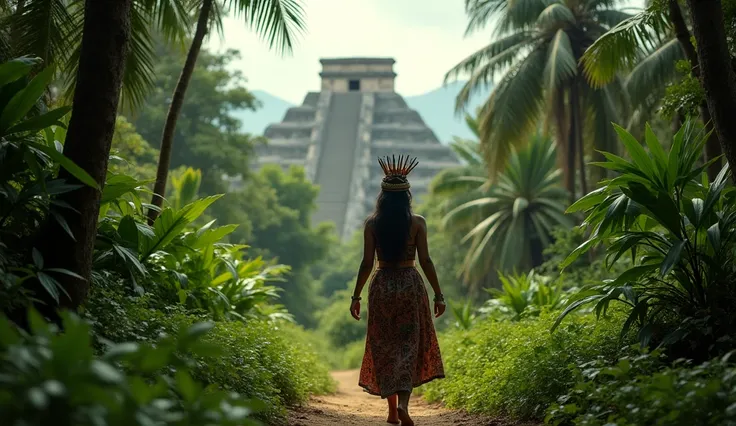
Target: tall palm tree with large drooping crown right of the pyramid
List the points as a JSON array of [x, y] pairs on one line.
[[537, 49]]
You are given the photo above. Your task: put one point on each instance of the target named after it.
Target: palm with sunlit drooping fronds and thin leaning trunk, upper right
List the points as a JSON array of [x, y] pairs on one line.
[[650, 43]]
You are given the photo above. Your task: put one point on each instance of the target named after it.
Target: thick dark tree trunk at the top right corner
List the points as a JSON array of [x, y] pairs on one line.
[[716, 73]]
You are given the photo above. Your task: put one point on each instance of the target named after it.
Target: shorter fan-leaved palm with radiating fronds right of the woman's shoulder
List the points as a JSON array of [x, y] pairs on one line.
[[508, 221]]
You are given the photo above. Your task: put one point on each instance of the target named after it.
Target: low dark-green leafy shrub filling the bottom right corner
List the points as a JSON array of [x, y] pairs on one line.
[[637, 391]]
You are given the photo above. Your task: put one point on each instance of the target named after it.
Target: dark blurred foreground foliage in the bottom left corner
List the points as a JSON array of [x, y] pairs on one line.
[[54, 378]]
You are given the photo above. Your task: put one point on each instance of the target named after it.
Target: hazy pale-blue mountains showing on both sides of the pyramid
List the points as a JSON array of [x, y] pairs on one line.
[[437, 108]]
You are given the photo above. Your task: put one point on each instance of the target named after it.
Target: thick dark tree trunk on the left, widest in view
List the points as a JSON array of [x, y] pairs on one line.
[[105, 37]]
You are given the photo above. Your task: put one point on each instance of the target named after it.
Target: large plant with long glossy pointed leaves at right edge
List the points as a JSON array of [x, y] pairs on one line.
[[680, 231]]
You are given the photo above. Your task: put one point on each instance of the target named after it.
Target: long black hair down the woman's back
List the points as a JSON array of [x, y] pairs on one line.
[[392, 222]]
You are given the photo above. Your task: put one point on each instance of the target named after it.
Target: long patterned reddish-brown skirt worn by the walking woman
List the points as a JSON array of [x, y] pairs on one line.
[[401, 349]]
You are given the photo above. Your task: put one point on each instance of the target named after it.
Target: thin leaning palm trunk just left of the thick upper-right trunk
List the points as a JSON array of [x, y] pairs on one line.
[[712, 145]]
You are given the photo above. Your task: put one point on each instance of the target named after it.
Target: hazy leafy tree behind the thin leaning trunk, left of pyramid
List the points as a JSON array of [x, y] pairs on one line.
[[208, 133]]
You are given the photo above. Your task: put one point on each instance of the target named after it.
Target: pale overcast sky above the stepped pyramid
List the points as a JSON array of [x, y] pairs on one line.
[[425, 37]]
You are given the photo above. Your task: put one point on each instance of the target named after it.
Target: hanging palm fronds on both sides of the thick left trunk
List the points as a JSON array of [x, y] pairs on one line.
[[52, 30]]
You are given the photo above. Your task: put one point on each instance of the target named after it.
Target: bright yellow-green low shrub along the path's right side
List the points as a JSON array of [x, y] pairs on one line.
[[518, 368]]
